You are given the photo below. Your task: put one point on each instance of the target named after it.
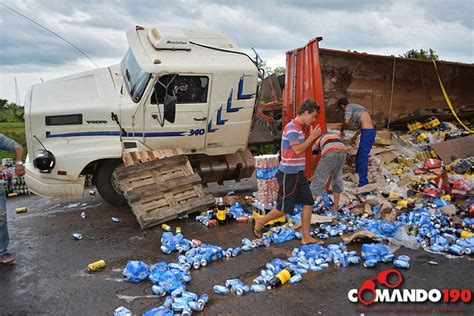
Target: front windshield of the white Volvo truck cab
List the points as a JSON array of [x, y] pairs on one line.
[[134, 77]]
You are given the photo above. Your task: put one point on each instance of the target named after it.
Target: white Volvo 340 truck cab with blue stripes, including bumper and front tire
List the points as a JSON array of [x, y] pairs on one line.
[[175, 88]]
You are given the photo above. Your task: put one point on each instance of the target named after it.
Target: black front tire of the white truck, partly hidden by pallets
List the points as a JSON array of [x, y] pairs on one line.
[[104, 183]]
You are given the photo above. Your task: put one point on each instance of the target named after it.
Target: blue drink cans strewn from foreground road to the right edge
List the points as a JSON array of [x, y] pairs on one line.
[[427, 225]]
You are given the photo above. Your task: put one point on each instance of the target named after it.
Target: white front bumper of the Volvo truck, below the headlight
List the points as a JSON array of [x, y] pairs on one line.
[[53, 187]]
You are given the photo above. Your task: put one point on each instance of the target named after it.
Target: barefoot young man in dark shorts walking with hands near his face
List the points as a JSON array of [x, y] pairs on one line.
[[293, 184]]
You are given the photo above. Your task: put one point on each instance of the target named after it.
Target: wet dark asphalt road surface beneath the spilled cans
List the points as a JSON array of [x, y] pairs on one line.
[[50, 275]]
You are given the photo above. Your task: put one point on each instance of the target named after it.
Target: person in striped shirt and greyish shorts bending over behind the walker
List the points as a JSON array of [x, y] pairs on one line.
[[333, 158]]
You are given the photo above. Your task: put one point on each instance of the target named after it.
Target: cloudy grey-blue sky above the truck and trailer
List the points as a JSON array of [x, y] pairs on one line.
[[31, 54]]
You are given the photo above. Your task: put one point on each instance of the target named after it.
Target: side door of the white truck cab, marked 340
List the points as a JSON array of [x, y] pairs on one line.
[[192, 107]]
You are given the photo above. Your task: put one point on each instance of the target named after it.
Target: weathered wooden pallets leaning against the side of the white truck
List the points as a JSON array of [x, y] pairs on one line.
[[160, 186]]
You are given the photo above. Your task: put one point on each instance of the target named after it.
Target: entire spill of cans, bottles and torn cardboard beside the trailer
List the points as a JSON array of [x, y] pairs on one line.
[[413, 202]]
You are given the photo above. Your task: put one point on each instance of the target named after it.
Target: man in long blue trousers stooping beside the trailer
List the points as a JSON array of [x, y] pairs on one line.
[[358, 114]]
